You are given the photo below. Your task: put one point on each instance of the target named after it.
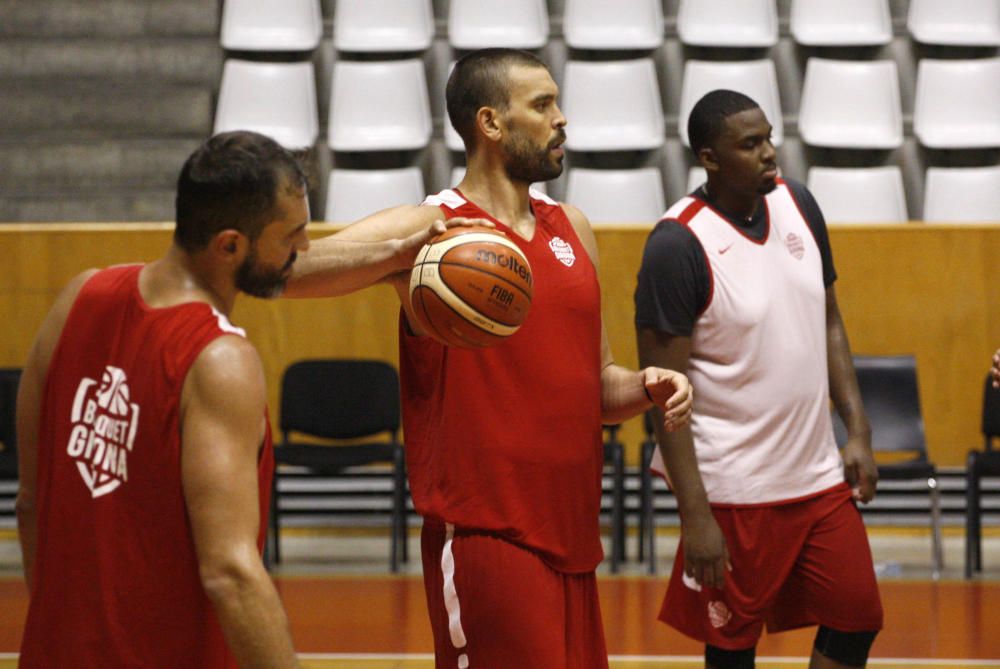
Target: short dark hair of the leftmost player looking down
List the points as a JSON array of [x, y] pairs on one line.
[[232, 181]]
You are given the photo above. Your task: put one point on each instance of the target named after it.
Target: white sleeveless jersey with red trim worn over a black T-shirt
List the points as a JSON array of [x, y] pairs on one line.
[[761, 421]]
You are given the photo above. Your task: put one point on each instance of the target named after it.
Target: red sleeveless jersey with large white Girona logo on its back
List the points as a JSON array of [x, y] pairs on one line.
[[116, 576]]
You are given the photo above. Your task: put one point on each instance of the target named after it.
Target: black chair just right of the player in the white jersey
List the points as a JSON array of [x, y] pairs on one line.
[[889, 392]]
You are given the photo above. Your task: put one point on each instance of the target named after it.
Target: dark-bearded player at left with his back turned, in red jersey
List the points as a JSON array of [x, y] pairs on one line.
[[145, 451]]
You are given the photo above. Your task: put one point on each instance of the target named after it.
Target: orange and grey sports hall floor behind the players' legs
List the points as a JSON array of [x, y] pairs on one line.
[[347, 612]]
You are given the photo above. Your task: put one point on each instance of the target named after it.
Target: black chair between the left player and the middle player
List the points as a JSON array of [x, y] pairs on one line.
[[342, 400]]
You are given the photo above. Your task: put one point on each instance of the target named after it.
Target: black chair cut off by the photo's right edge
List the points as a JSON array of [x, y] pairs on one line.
[[980, 464]]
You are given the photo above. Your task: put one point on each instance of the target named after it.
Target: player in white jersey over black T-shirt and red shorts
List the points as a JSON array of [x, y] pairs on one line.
[[736, 287]]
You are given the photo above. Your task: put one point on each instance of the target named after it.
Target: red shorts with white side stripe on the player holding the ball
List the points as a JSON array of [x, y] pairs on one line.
[[495, 605]]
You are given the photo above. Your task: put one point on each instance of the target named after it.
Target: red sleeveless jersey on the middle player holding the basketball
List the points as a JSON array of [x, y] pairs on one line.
[[507, 439]]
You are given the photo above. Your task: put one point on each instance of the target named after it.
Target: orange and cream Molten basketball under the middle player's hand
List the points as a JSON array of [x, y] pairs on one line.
[[470, 287]]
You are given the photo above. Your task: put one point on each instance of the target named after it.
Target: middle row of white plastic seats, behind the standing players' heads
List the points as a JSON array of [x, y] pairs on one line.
[[616, 105]]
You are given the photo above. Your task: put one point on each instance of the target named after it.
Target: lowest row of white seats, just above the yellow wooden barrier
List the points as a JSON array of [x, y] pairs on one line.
[[608, 196]]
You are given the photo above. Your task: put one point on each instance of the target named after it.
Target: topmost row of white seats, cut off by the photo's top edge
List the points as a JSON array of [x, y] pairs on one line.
[[408, 25]]
